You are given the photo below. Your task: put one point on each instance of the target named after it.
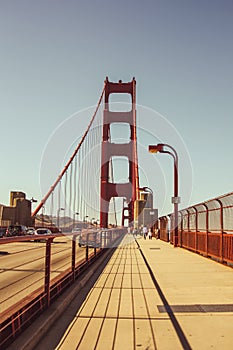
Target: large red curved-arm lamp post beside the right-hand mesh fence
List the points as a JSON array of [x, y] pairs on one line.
[[159, 148]]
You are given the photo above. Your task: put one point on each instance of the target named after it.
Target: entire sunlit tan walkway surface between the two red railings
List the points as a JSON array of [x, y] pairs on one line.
[[152, 297]]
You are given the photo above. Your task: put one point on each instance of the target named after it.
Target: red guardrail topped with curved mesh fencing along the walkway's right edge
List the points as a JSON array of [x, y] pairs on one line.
[[205, 228]]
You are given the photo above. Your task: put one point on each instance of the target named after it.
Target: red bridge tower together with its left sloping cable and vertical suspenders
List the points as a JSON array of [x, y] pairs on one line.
[[75, 186]]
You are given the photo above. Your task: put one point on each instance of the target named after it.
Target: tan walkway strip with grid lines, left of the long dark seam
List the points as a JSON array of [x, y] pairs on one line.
[[121, 311]]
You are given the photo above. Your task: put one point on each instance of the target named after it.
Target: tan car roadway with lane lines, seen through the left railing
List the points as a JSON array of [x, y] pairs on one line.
[[22, 267]]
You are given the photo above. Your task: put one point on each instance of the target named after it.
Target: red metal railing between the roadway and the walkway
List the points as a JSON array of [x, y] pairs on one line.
[[16, 318]]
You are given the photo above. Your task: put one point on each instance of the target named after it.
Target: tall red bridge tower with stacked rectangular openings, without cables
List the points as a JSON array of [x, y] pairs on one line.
[[128, 190]]
